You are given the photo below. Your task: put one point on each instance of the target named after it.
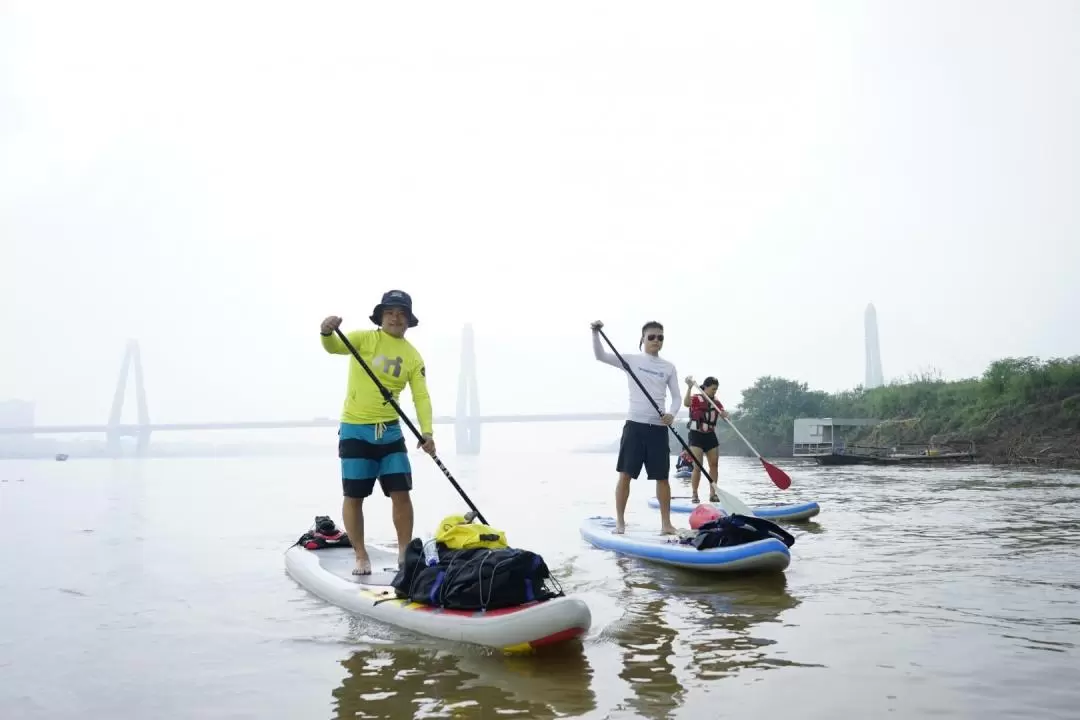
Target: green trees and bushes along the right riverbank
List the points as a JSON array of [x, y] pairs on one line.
[[1022, 410]]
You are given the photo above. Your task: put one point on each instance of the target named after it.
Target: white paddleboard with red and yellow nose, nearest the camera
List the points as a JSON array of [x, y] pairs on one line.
[[328, 574]]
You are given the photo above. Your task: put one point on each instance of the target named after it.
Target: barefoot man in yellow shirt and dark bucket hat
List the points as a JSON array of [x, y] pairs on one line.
[[371, 443]]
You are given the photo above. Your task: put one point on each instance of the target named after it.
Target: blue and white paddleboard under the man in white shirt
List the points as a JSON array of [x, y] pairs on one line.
[[761, 555]]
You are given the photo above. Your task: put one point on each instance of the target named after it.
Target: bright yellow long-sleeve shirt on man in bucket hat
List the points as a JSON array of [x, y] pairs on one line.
[[395, 362]]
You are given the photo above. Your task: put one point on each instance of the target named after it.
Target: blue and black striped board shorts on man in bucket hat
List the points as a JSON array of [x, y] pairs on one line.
[[373, 453]]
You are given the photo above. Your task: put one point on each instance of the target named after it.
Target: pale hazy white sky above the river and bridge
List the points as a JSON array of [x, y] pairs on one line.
[[214, 179]]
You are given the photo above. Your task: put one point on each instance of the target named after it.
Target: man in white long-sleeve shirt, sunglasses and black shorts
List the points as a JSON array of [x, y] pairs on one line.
[[645, 433]]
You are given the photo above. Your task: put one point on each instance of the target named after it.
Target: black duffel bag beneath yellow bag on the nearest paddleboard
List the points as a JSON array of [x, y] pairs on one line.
[[477, 579]]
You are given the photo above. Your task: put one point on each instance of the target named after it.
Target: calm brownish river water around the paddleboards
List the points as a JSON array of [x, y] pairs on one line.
[[156, 589]]
